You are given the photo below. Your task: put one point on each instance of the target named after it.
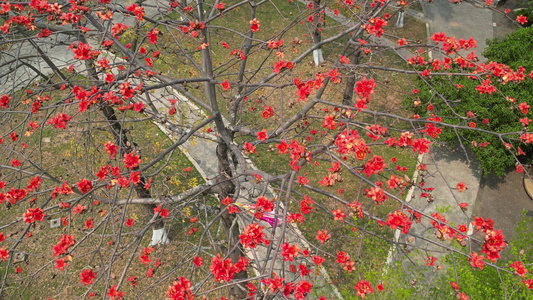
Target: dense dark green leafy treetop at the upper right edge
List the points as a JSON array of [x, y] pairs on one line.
[[502, 115]]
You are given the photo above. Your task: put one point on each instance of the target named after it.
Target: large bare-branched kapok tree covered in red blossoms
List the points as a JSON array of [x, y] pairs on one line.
[[208, 123]]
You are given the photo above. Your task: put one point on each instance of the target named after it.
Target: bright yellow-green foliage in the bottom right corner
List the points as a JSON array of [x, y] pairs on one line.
[[402, 282]]
